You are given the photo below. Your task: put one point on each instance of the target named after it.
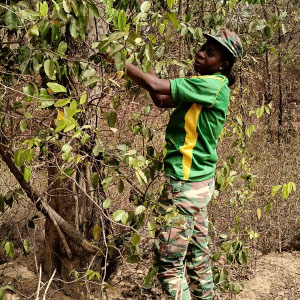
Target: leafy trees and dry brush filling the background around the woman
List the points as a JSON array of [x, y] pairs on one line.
[[82, 147]]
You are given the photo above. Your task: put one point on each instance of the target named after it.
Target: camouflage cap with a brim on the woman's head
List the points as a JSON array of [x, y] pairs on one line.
[[229, 40]]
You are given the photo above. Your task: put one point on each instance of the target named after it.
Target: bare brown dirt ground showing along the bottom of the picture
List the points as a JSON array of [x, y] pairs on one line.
[[275, 277]]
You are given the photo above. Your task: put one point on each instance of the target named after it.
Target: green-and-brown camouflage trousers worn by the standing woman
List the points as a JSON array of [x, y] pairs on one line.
[[181, 246]]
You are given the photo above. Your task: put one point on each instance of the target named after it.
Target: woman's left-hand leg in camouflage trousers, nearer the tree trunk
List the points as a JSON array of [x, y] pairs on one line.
[[171, 244]]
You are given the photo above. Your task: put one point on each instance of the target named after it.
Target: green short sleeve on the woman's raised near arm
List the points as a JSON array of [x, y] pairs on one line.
[[202, 90]]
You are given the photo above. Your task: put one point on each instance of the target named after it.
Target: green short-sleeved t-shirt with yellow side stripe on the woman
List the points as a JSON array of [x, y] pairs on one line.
[[195, 125]]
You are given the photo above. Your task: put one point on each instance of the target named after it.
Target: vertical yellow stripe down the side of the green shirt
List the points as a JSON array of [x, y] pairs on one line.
[[190, 127]]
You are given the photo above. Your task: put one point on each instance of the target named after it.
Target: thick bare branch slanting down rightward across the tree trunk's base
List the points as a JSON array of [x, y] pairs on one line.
[[44, 207]]
